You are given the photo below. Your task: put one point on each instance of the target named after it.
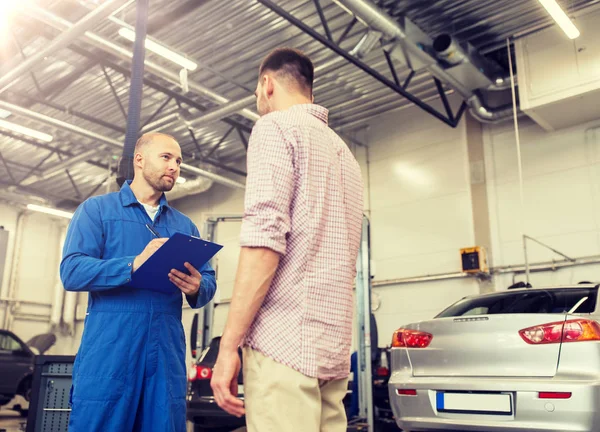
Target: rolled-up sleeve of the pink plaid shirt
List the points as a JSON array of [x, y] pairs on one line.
[[269, 188]]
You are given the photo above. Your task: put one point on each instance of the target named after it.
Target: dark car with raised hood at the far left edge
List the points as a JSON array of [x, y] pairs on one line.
[[16, 366]]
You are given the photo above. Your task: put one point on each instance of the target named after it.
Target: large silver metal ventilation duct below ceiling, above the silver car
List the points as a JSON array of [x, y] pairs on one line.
[[458, 65]]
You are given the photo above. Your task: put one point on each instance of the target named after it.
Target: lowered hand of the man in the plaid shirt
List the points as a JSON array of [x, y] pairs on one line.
[[224, 382]]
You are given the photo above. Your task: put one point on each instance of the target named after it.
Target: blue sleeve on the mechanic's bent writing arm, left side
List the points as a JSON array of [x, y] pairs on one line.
[[82, 267]]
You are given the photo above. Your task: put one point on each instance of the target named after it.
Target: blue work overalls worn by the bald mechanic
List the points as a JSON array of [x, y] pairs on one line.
[[129, 373]]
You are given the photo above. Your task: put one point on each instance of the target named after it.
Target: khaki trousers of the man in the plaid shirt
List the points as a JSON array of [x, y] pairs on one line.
[[281, 399]]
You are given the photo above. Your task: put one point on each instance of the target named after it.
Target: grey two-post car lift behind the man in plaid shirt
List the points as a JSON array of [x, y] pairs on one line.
[[365, 419]]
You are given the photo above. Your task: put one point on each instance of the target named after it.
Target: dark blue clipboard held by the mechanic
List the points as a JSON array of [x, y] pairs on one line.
[[180, 248]]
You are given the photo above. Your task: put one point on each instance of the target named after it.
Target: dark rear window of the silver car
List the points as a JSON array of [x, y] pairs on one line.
[[532, 301]]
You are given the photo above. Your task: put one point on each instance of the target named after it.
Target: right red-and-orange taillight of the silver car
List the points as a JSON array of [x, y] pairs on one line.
[[578, 330]]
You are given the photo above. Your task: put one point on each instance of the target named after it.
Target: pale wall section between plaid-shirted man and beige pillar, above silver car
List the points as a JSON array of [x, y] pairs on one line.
[[420, 210]]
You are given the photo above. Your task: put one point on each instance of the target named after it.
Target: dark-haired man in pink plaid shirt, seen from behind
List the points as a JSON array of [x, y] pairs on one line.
[[292, 303]]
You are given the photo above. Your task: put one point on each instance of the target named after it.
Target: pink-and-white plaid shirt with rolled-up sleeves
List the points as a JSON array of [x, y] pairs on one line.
[[304, 200]]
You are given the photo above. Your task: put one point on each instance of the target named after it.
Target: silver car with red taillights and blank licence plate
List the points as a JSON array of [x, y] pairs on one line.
[[518, 360]]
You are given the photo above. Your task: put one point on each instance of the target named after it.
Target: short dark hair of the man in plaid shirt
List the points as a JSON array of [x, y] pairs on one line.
[[293, 64]]
